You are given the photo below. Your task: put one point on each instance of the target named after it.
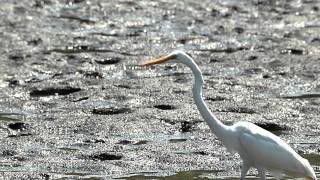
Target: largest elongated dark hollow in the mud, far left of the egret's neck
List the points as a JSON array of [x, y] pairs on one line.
[[49, 91]]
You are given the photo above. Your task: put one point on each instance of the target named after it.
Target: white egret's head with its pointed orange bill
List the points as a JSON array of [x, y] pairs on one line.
[[176, 56]]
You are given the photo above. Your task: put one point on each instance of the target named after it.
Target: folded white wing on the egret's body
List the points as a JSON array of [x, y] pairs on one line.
[[267, 150]]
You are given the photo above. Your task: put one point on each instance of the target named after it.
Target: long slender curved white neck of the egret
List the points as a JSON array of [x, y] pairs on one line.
[[218, 128]]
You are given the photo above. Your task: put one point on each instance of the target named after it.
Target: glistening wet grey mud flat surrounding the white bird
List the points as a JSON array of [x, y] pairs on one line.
[[74, 102]]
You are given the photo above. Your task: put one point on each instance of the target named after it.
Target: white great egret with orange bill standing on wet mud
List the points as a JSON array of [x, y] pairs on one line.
[[257, 147]]
